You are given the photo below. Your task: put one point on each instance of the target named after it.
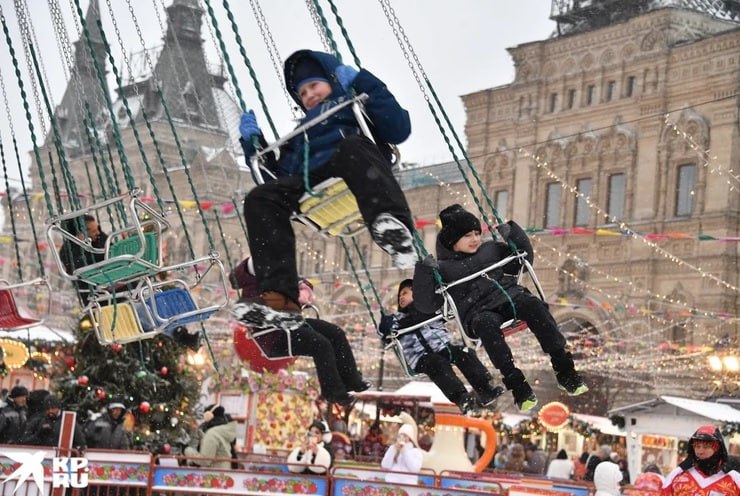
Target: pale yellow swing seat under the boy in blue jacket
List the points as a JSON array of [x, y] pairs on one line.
[[333, 211]]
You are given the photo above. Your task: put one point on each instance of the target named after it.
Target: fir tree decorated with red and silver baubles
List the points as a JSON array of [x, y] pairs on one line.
[[148, 376]]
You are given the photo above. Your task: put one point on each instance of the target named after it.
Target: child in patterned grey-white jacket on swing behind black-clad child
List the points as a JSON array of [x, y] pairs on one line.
[[428, 350]]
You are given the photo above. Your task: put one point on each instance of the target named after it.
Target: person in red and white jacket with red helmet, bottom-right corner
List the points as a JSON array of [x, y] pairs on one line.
[[705, 471]]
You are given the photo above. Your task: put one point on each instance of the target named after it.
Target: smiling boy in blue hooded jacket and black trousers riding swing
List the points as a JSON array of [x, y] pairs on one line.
[[334, 148]]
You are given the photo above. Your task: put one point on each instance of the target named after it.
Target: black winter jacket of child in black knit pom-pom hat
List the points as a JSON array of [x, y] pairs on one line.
[[479, 293]]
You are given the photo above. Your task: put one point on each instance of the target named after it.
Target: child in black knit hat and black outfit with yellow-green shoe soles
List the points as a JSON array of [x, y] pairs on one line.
[[484, 303]]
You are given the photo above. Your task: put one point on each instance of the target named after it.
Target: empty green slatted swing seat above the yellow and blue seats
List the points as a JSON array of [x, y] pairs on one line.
[[125, 261]]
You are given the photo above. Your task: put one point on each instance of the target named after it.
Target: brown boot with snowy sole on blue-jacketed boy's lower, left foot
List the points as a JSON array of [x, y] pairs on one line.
[[270, 309]]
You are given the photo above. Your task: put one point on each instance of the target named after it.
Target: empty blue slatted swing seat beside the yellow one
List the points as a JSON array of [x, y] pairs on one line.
[[170, 309]]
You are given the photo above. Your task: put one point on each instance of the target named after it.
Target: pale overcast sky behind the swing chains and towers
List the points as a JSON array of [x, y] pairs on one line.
[[461, 45]]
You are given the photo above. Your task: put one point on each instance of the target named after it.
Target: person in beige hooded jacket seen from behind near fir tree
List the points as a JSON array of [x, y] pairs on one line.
[[216, 444]]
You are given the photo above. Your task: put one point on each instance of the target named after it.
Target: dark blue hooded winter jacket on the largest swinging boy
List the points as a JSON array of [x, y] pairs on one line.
[[389, 122]]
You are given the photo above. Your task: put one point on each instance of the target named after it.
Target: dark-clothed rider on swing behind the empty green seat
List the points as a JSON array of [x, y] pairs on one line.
[[73, 256]]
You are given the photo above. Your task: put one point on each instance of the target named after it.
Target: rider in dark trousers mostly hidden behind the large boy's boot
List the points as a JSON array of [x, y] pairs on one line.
[[326, 343]]
